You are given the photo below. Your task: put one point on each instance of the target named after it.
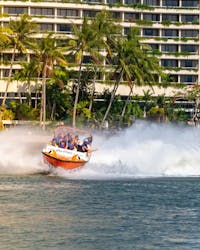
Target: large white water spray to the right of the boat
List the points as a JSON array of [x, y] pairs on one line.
[[144, 150]]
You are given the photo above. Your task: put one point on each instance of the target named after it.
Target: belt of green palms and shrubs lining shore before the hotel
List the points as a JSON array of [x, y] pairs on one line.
[[62, 72]]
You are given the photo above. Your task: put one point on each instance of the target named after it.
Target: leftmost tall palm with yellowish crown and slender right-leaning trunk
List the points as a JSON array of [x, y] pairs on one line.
[[20, 39]]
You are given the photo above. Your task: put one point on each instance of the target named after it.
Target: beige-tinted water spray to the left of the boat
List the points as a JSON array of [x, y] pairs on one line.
[[20, 151]]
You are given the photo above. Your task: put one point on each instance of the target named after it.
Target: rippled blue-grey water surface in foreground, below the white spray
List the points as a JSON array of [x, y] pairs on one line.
[[48, 212]]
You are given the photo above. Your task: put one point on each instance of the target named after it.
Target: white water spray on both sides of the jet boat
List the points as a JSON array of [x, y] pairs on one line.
[[144, 150]]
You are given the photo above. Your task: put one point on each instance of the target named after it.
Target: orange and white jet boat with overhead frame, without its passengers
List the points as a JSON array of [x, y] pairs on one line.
[[63, 157]]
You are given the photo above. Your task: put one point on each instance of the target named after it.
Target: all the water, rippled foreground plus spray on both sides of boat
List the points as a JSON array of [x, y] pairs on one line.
[[140, 190]]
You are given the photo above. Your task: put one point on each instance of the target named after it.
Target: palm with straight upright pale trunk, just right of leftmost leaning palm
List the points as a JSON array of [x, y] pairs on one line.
[[48, 55]]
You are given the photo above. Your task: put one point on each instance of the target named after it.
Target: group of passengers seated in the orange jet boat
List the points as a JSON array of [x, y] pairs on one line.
[[72, 142]]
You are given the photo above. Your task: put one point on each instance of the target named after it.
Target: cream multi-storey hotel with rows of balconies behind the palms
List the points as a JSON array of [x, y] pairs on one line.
[[170, 27]]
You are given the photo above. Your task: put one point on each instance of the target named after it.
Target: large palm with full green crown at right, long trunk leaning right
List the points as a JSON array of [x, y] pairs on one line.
[[133, 63]]
